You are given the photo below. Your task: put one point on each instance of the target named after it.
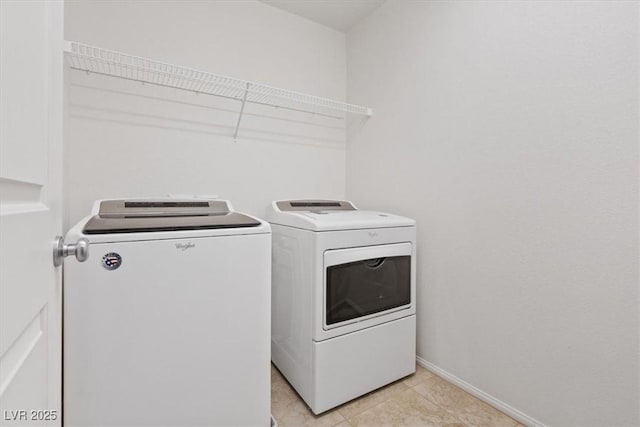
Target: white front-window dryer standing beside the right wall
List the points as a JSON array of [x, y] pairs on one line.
[[343, 307]]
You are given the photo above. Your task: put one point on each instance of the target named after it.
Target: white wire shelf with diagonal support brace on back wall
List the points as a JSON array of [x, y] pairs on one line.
[[111, 63]]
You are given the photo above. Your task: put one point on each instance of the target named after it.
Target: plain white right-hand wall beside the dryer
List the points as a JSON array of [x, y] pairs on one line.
[[509, 130]]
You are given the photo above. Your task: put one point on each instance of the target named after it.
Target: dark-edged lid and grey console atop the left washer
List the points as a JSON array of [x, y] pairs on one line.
[[154, 215]]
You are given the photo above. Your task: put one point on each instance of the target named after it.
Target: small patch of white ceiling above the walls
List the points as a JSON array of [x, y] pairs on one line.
[[338, 14]]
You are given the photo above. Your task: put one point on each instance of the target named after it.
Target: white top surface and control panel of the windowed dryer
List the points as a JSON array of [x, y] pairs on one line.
[[330, 215]]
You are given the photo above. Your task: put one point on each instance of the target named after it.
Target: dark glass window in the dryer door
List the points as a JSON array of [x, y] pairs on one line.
[[365, 287]]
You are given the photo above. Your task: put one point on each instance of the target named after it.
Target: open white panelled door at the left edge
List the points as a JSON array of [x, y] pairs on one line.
[[31, 36]]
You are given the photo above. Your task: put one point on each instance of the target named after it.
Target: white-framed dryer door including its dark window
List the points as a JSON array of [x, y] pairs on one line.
[[367, 282]]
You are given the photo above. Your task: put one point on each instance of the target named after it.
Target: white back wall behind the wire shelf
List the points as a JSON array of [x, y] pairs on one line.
[[126, 139]]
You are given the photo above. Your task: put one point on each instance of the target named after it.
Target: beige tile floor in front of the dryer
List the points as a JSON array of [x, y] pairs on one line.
[[422, 399]]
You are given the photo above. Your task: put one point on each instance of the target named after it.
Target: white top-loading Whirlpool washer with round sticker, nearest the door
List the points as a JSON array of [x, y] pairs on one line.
[[167, 322]]
